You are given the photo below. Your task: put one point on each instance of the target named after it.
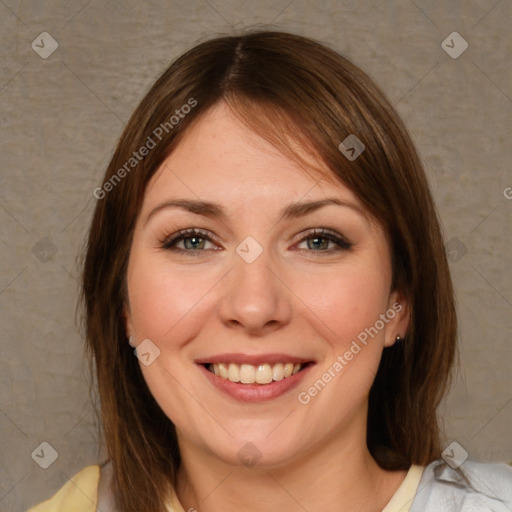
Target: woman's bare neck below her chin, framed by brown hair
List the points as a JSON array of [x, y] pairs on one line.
[[340, 476]]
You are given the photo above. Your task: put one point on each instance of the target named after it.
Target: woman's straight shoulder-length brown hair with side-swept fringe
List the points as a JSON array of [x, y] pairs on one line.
[[291, 90]]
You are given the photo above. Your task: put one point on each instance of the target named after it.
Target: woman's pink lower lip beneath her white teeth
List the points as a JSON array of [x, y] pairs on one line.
[[255, 392]]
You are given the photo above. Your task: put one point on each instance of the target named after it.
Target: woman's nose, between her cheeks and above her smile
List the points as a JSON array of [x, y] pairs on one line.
[[255, 298]]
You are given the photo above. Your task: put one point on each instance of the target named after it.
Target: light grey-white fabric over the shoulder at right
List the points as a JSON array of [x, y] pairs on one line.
[[473, 486]]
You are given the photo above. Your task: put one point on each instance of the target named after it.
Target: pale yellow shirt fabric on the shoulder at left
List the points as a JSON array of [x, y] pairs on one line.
[[78, 494]]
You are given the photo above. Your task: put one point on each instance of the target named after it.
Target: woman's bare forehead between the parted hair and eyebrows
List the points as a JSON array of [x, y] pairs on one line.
[[221, 159]]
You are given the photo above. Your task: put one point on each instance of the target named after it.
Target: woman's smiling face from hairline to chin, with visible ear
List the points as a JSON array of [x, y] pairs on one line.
[[286, 271]]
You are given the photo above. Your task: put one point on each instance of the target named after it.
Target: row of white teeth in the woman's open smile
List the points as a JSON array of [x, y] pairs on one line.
[[250, 374]]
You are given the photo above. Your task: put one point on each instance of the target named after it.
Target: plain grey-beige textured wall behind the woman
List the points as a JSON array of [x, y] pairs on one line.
[[61, 117]]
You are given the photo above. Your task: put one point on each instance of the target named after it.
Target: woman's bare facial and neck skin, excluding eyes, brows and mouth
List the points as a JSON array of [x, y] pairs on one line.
[[294, 298]]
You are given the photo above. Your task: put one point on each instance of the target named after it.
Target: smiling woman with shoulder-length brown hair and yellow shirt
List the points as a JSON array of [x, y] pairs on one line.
[[266, 240]]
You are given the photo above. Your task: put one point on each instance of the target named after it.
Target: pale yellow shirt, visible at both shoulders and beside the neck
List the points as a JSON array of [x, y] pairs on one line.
[[80, 494]]
